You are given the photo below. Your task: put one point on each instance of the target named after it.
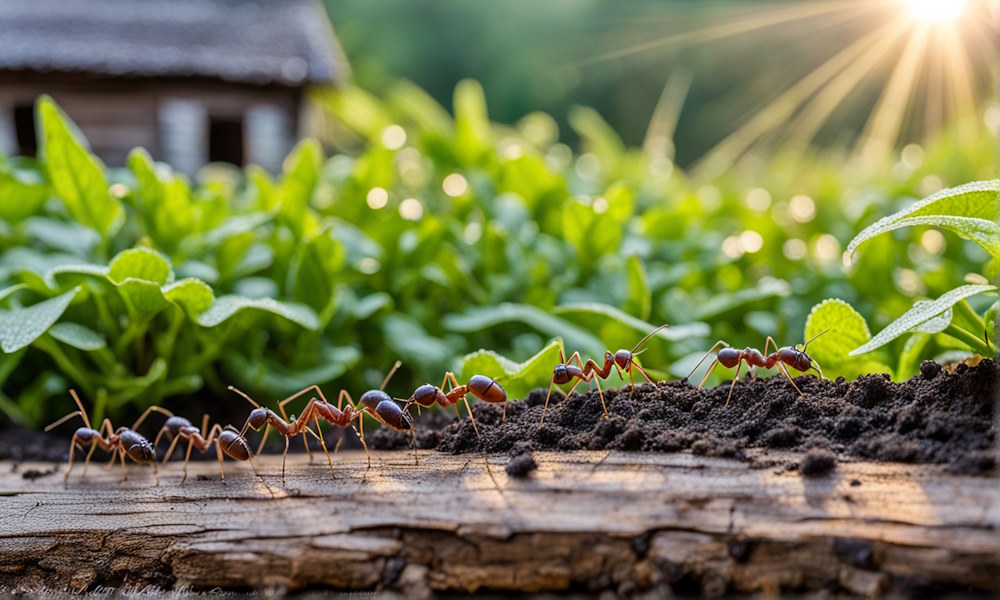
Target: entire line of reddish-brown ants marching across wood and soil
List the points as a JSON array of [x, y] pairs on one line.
[[388, 411]]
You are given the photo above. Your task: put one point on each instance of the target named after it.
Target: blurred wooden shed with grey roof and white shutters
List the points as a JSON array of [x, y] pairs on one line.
[[193, 81]]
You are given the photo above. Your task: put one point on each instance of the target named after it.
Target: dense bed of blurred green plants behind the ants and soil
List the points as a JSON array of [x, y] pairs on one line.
[[425, 238]]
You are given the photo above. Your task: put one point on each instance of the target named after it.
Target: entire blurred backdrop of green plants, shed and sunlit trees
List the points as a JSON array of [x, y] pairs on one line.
[[473, 175]]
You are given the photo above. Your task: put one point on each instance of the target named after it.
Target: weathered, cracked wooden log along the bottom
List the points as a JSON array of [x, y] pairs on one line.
[[586, 521]]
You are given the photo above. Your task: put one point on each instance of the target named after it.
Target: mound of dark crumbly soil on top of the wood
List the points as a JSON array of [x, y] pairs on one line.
[[935, 417]]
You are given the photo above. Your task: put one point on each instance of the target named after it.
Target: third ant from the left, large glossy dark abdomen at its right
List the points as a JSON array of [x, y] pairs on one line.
[[376, 403]]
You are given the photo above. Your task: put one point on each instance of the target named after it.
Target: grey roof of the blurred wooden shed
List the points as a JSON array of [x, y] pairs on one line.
[[285, 42]]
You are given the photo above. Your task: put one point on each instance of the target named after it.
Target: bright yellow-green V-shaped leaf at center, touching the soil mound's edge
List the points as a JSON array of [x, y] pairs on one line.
[[517, 379]]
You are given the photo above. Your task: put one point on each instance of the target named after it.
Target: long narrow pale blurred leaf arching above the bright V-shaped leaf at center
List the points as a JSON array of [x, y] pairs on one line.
[[484, 317]]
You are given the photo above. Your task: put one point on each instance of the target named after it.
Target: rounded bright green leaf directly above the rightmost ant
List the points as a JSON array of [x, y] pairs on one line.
[[845, 330]]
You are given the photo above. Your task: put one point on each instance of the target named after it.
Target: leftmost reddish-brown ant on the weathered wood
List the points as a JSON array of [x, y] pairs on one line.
[[121, 442]]
